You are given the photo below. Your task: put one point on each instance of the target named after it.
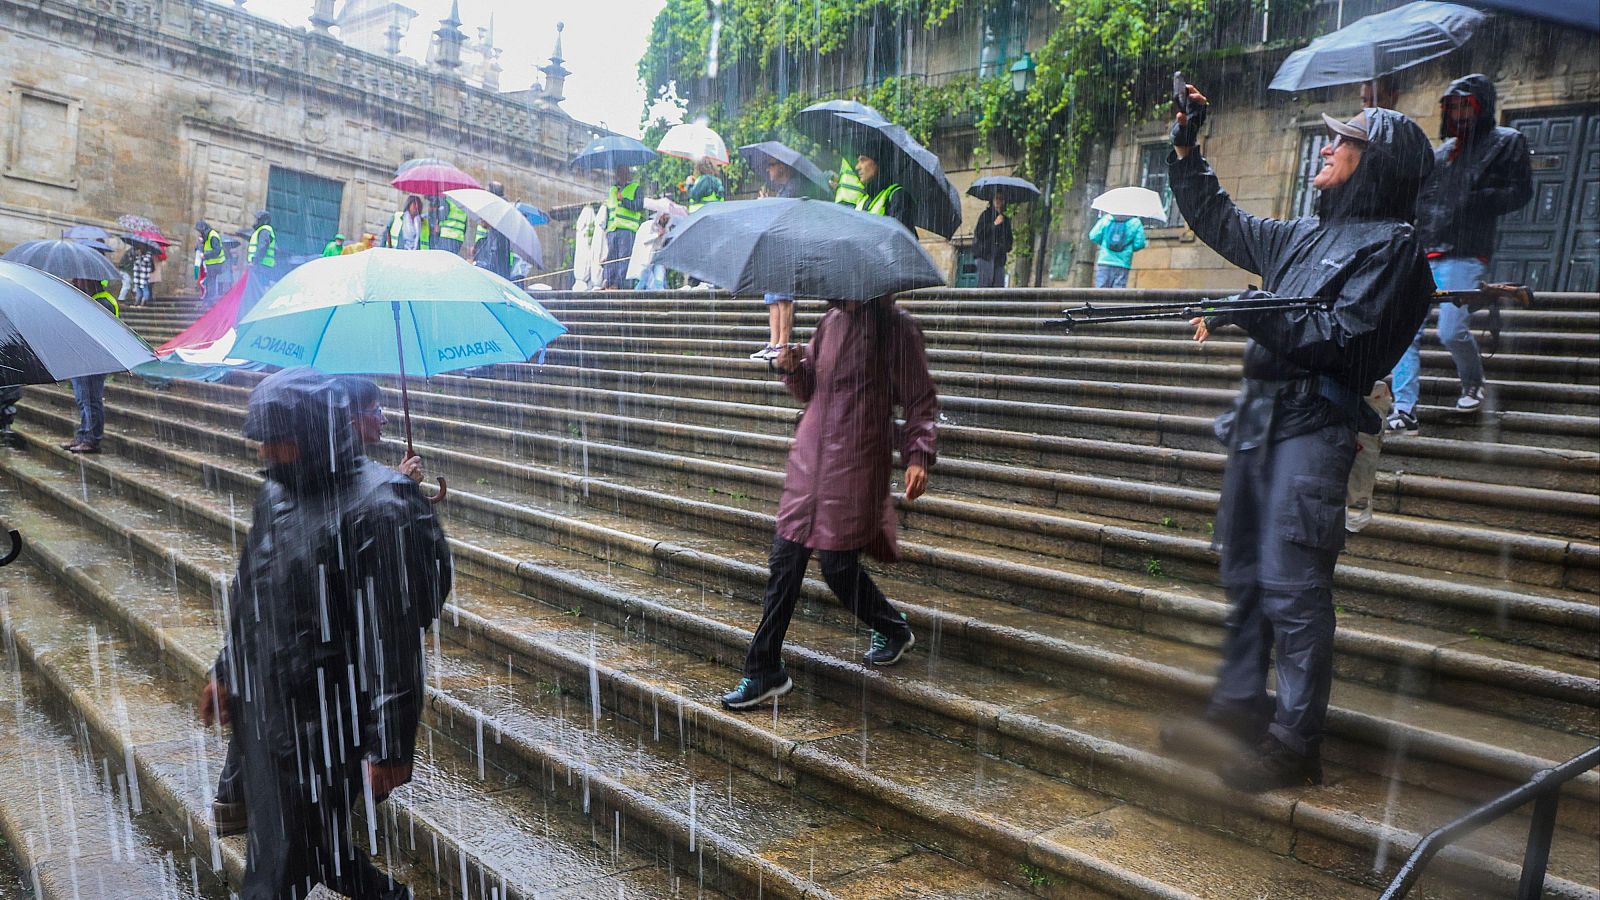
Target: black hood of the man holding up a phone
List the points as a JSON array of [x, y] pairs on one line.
[[1385, 187]]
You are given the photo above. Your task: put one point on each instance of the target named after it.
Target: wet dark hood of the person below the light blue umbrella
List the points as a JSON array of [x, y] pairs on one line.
[[311, 411]]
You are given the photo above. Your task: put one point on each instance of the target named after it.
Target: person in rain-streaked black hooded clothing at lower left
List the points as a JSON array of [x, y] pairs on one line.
[[322, 669]]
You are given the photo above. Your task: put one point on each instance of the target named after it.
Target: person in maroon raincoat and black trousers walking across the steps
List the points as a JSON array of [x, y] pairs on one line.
[[863, 361]]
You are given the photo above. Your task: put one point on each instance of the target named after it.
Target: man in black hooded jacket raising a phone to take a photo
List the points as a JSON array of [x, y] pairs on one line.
[[1292, 430]]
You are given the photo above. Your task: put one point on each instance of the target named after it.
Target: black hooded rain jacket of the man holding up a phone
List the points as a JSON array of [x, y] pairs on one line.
[[1361, 251]]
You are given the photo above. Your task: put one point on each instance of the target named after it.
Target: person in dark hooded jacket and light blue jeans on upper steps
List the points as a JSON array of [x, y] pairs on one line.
[[1481, 174]]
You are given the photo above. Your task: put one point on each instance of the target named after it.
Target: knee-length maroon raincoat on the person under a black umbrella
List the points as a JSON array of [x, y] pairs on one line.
[[863, 361]]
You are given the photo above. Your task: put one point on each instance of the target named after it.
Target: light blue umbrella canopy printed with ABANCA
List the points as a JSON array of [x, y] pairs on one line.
[[335, 311]]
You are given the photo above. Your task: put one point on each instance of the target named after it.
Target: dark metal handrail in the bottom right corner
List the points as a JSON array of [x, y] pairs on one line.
[[1543, 790]]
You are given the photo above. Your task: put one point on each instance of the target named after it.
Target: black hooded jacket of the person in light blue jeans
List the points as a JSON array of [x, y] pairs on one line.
[[1478, 179]]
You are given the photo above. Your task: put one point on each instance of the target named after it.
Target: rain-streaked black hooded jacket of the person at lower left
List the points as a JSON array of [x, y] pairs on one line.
[[345, 568]]
